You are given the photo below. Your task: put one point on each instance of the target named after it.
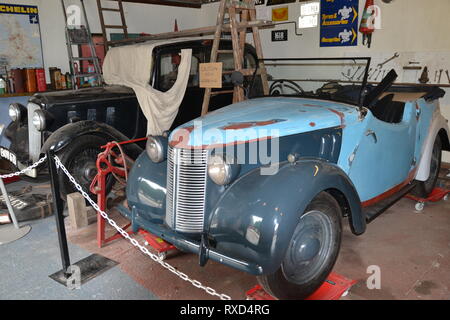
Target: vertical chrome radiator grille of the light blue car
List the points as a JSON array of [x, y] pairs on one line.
[[186, 187]]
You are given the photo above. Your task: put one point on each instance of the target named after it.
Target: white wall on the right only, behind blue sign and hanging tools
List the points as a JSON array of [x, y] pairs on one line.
[[407, 26]]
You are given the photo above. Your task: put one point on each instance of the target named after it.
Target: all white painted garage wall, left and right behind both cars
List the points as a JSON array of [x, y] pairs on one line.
[[407, 26]]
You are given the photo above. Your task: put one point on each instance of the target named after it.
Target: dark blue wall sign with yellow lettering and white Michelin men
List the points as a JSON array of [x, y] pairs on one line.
[[339, 23]]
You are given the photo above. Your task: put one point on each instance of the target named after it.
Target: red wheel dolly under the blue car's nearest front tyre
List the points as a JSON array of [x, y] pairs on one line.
[[332, 289]]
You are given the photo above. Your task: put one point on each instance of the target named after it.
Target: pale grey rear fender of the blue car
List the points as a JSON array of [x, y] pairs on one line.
[[439, 127]]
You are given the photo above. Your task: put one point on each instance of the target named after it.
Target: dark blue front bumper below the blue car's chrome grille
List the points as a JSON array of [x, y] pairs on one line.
[[186, 244]]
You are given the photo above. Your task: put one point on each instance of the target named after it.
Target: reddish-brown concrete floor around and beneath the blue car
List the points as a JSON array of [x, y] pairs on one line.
[[411, 249]]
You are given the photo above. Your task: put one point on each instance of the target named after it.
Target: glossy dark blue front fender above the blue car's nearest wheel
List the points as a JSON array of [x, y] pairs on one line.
[[255, 218]]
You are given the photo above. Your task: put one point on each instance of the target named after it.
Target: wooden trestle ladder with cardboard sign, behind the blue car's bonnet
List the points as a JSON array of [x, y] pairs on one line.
[[238, 28]]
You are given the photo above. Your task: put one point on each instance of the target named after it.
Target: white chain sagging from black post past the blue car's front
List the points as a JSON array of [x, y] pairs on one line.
[[144, 250]]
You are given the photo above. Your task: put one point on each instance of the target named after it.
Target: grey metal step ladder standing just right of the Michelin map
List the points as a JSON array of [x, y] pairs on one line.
[[81, 35]]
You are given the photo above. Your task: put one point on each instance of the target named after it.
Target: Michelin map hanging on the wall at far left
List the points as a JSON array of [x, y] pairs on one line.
[[20, 37]]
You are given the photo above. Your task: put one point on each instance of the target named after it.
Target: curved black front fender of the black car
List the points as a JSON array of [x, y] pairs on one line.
[[60, 138]]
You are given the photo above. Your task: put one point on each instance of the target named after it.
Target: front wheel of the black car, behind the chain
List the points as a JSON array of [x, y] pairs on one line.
[[79, 157]]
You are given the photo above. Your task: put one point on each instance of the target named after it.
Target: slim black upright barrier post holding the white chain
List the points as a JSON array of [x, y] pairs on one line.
[[58, 209]]
